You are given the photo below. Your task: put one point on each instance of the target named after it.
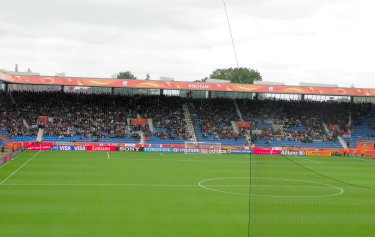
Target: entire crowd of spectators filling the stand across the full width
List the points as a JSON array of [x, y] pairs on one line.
[[100, 116]]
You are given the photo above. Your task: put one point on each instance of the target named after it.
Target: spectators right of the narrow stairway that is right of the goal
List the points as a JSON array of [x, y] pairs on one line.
[[302, 120]]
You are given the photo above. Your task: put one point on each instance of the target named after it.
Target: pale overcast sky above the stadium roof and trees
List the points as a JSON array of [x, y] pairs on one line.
[[289, 41]]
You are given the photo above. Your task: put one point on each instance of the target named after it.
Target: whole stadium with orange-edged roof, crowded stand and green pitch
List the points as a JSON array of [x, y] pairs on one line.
[[111, 157]]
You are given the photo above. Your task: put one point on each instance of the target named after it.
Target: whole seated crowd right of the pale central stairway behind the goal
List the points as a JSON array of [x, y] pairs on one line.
[[288, 120]]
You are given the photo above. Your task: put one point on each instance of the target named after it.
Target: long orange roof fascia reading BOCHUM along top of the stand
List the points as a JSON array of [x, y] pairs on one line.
[[174, 85]]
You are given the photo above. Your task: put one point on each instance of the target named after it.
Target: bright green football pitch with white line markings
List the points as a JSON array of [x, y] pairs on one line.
[[92, 194]]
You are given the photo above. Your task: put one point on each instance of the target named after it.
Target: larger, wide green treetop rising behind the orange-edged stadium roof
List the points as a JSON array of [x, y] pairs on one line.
[[236, 75]]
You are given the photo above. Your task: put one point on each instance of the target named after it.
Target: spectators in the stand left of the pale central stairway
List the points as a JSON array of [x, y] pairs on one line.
[[90, 116]]
